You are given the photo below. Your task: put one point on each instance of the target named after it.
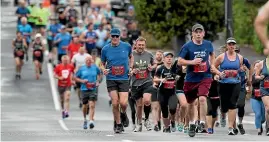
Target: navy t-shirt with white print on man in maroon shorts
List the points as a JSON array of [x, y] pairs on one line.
[[190, 51]]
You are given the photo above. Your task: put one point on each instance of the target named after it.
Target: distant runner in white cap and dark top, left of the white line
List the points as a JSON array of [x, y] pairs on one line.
[[38, 54]]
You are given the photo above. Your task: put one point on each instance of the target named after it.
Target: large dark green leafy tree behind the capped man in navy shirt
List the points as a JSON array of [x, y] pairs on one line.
[[165, 19]]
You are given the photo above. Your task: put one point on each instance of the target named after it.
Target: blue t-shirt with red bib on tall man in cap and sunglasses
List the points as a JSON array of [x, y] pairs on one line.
[[117, 58]]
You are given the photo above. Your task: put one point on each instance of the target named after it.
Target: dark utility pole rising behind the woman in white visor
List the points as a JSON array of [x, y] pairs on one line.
[[229, 18]]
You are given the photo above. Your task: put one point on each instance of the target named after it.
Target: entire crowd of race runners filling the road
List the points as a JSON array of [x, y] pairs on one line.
[[182, 92]]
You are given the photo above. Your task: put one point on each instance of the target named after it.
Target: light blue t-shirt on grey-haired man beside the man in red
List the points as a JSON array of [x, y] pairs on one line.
[[88, 73]]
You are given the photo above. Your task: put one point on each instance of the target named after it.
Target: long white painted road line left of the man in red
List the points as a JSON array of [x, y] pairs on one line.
[[53, 88]]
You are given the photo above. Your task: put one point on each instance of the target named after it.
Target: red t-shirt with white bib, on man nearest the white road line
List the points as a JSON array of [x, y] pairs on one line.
[[64, 71]]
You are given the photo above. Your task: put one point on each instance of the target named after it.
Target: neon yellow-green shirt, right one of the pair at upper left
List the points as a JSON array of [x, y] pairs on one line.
[[43, 14]]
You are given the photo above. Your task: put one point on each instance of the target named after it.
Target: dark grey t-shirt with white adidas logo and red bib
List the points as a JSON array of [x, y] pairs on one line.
[[141, 62]]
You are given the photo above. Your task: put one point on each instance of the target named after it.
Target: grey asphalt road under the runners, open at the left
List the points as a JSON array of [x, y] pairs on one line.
[[30, 108]]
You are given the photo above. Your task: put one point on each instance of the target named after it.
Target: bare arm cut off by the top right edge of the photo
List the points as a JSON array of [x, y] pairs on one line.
[[261, 23]]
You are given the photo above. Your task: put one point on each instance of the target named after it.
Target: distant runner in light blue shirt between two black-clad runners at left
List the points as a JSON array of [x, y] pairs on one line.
[[26, 31]]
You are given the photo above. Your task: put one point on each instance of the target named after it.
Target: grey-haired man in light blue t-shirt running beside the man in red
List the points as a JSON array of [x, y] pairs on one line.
[[89, 76]]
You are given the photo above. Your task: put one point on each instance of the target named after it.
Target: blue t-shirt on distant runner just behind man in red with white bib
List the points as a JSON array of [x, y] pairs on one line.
[[65, 41]]
